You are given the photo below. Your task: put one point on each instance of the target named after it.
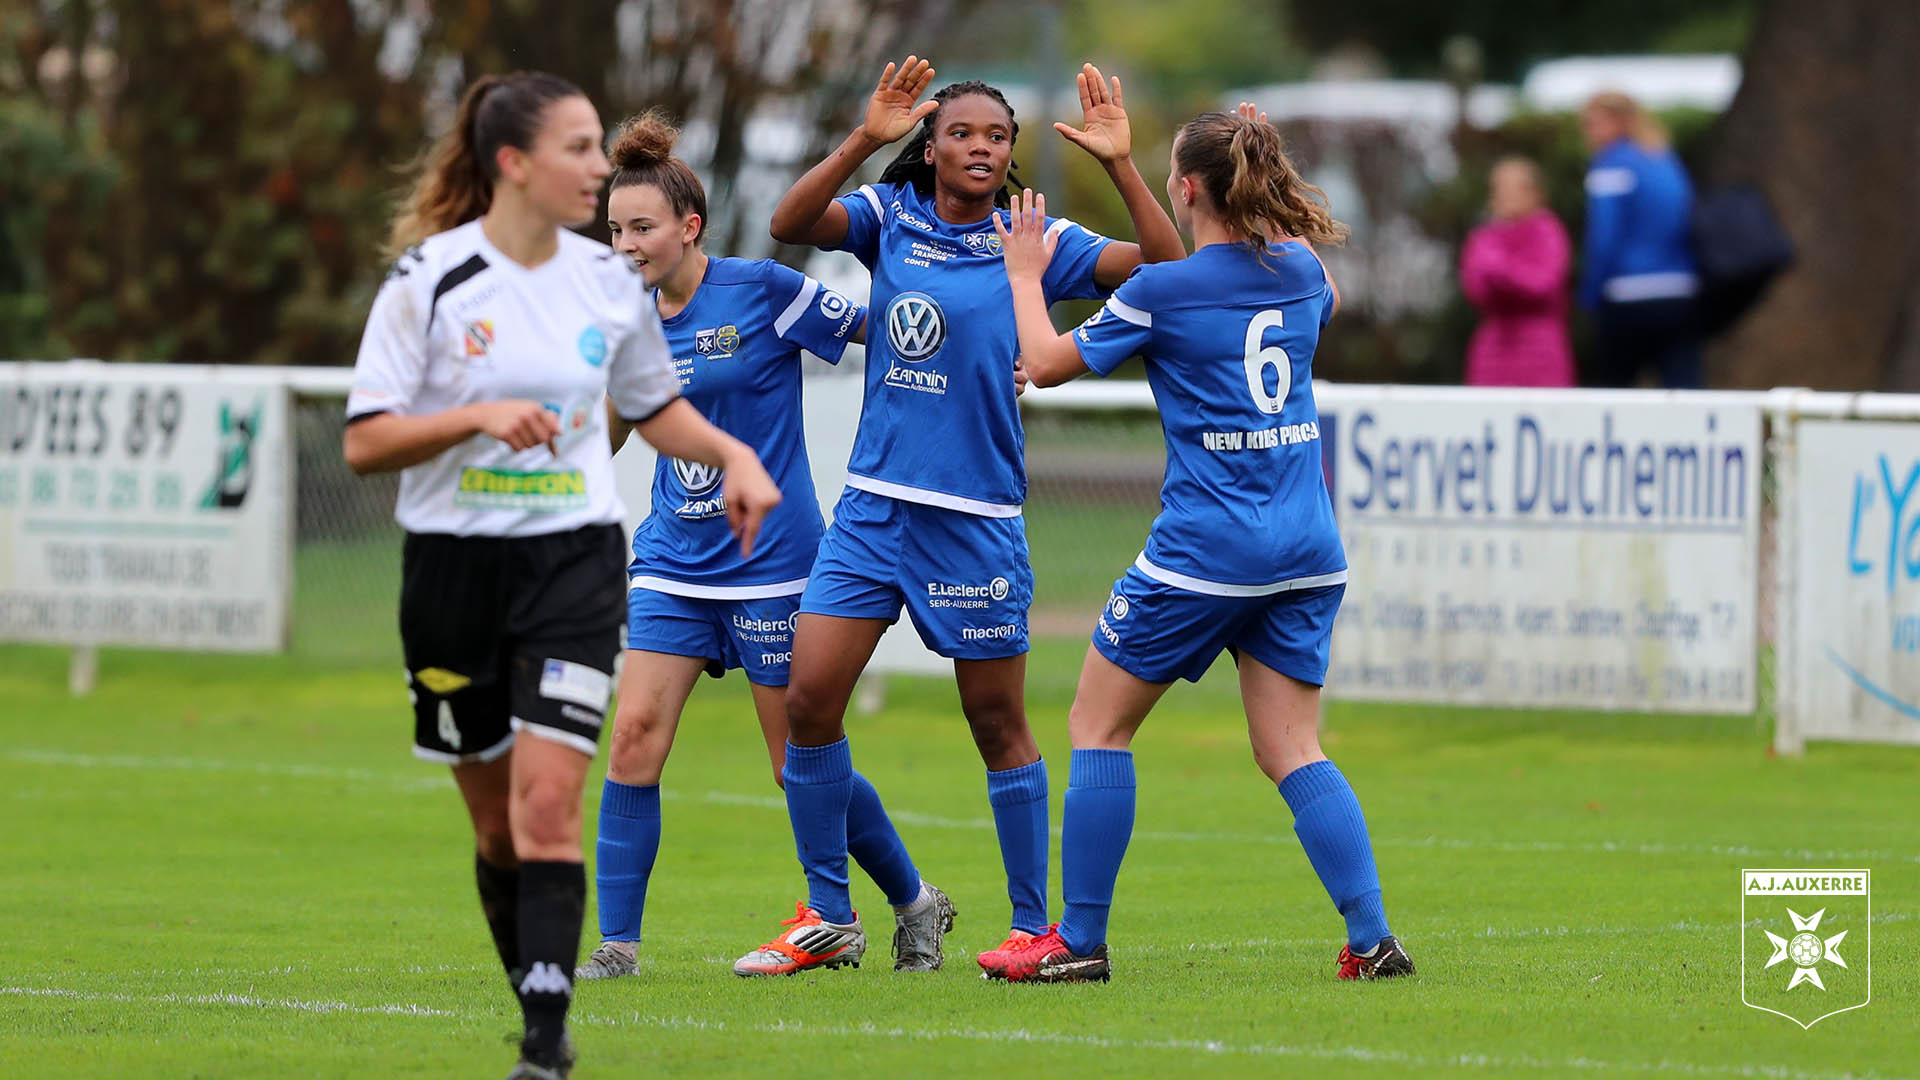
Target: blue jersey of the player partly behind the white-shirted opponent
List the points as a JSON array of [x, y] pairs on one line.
[[738, 358]]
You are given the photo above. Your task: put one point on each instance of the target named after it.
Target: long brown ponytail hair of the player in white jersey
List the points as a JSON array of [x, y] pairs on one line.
[[458, 172]]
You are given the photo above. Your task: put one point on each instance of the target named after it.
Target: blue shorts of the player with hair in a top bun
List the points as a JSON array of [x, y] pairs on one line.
[[754, 635]]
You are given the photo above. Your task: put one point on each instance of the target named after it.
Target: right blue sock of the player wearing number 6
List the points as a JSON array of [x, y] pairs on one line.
[[1335, 837]]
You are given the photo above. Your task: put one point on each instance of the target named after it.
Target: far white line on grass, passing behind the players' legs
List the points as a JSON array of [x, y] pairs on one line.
[[443, 783]]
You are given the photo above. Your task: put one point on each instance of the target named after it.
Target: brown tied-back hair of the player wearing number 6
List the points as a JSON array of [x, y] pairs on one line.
[[1255, 187]]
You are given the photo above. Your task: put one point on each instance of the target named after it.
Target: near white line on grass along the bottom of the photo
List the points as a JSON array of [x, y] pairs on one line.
[[1356, 1054]]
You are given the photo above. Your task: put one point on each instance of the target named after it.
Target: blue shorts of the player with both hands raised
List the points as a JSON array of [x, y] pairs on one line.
[[965, 579]]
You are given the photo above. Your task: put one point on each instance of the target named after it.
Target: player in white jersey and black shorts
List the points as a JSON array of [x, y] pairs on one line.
[[481, 378]]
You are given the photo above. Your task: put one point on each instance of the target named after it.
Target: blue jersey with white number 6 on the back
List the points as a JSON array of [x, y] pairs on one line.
[[1230, 347]]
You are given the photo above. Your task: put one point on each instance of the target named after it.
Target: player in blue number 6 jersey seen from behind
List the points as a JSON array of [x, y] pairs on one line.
[[1245, 554]]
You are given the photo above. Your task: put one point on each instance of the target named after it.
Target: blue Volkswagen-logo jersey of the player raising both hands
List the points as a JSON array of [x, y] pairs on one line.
[[940, 424]]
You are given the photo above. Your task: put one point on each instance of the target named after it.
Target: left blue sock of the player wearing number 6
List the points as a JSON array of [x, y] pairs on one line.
[[1093, 841]]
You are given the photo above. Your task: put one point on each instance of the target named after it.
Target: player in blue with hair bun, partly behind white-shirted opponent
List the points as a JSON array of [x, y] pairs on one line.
[[736, 331]]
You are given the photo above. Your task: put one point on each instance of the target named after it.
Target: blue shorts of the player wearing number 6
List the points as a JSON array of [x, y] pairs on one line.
[[1163, 633]]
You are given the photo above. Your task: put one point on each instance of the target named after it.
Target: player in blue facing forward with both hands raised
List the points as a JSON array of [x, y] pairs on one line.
[[932, 510]]
